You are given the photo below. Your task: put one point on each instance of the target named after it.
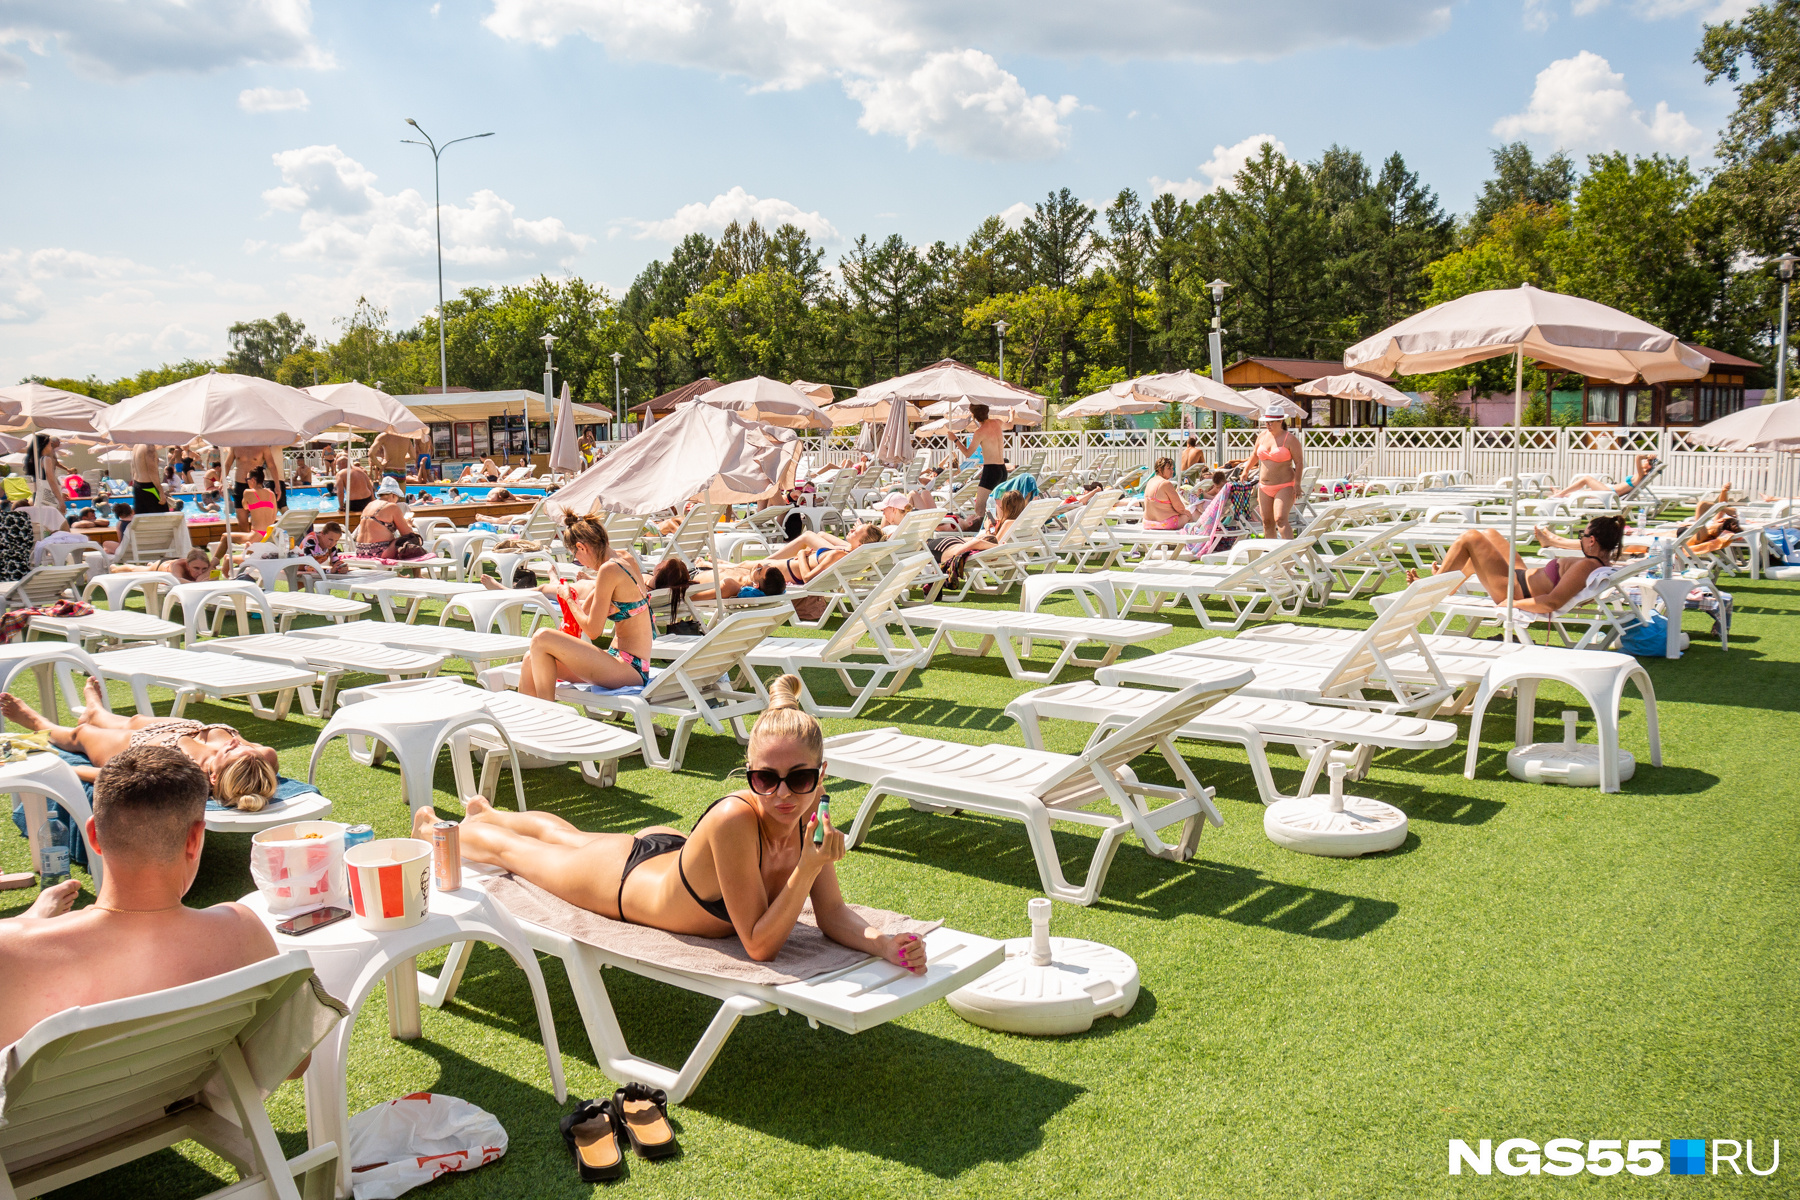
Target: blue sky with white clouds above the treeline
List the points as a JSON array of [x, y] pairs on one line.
[[177, 165]]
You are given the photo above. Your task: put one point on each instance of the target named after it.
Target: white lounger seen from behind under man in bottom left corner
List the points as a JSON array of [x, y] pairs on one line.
[[107, 1084]]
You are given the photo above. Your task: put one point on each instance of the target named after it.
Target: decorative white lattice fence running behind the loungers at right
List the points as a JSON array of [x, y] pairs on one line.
[[1486, 452]]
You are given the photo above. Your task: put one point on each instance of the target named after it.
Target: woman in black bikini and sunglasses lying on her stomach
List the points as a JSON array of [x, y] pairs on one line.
[[746, 868]]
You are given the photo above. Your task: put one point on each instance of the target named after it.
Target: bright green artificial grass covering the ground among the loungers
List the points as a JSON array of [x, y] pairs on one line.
[[1534, 963]]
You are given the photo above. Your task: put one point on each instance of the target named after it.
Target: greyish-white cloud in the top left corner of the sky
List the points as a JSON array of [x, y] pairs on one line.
[[132, 39]]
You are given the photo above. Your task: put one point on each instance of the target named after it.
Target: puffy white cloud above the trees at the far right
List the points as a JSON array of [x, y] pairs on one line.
[[1581, 105]]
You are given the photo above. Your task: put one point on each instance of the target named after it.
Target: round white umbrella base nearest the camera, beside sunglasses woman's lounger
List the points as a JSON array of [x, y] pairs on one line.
[[1083, 981]]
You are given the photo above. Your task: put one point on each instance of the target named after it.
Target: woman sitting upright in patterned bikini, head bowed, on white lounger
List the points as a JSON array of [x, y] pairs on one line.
[[618, 596]]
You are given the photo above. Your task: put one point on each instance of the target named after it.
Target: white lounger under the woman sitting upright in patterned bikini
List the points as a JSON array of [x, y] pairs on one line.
[[696, 688]]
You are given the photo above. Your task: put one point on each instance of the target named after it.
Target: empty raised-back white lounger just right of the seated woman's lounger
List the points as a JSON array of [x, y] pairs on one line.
[[885, 665]]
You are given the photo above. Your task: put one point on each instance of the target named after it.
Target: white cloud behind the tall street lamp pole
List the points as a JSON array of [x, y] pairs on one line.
[[345, 219]]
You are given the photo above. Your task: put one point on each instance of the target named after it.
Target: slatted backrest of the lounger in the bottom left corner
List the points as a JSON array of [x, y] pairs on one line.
[[89, 1071]]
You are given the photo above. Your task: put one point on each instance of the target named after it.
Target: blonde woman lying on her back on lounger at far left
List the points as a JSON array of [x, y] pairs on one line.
[[242, 773]]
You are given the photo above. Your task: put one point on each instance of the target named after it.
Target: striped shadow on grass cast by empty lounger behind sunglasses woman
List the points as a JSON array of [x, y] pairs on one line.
[[998, 852]]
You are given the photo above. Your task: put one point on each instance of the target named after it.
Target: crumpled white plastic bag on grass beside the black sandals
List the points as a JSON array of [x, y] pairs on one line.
[[415, 1140]]
